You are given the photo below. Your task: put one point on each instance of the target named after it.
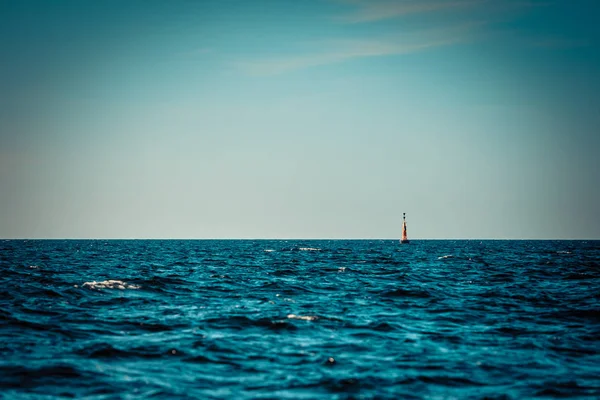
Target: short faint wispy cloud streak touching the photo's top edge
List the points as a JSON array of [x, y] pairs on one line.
[[375, 10]]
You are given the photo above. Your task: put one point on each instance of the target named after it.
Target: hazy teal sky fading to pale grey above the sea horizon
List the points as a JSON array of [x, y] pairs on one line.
[[300, 119]]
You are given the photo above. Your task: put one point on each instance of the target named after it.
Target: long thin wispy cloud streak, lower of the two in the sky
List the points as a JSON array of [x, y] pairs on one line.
[[336, 51]]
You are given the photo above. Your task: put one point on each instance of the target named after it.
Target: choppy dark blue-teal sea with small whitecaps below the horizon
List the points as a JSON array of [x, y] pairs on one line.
[[299, 319]]
